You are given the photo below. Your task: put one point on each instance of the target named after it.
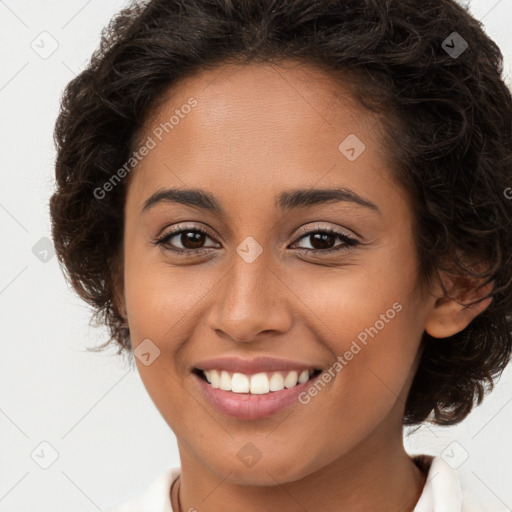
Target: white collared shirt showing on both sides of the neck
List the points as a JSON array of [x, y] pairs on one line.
[[444, 491]]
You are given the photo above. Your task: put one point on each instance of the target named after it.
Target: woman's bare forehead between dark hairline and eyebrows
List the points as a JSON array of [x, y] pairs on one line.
[[257, 128]]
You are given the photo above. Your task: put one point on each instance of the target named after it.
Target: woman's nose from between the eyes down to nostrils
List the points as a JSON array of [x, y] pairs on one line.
[[249, 301]]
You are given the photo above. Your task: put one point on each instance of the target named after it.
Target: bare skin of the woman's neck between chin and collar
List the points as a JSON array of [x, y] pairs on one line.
[[377, 475]]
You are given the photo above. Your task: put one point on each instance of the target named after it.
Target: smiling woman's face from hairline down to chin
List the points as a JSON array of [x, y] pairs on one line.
[[266, 279]]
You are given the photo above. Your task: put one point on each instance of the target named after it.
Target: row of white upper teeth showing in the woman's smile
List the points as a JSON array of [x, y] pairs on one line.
[[257, 384]]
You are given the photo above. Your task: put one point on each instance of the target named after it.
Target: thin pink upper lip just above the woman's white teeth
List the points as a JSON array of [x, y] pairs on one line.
[[255, 365]]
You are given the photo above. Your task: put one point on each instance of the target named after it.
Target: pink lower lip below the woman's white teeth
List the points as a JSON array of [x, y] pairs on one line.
[[245, 406]]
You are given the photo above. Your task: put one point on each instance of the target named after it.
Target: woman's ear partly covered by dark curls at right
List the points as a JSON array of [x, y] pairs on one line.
[[454, 311]]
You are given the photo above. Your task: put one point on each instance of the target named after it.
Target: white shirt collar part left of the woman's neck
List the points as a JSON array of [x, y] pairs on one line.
[[155, 498]]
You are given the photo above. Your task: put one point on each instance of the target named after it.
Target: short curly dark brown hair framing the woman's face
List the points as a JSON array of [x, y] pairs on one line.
[[447, 118]]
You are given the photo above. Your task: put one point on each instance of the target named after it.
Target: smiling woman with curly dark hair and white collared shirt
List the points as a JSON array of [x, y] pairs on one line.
[[293, 214]]
